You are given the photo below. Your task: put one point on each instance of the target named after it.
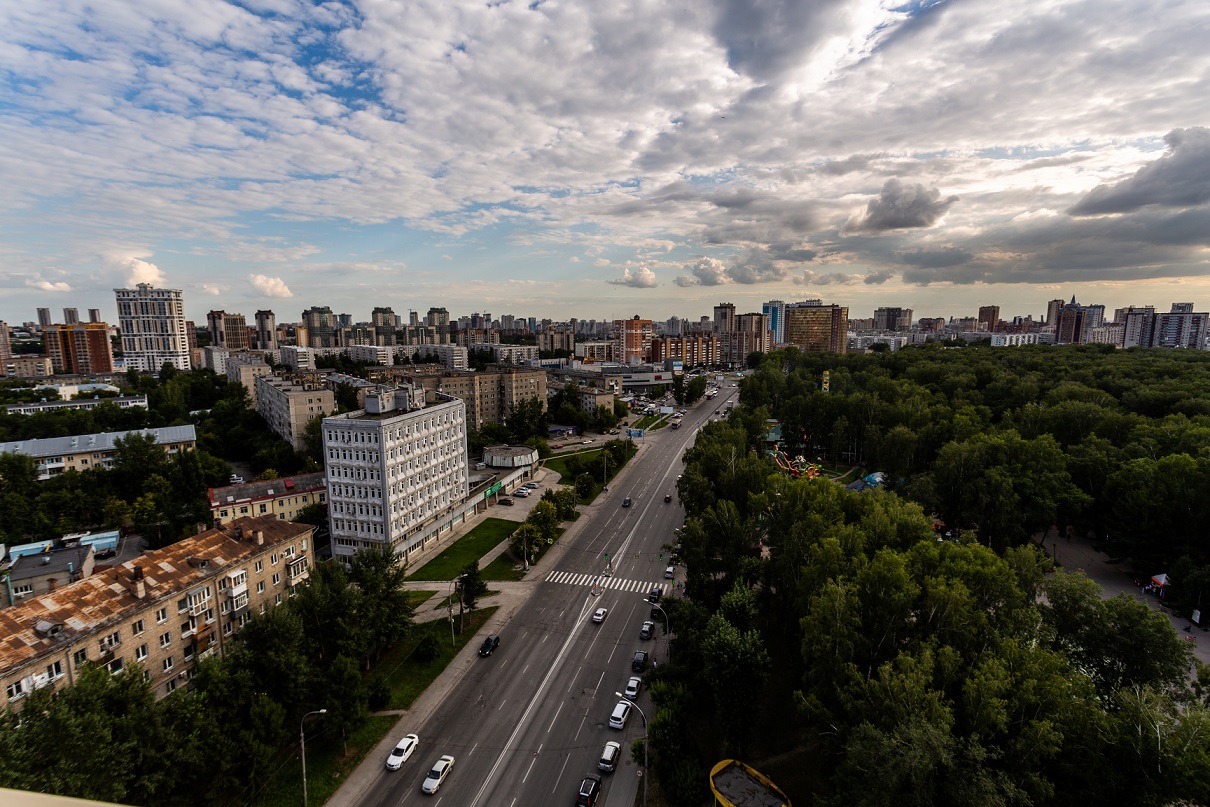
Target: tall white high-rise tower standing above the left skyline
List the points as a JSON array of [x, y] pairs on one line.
[[153, 325]]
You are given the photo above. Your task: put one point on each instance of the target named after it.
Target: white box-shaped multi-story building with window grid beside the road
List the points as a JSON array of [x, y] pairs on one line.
[[394, 469]]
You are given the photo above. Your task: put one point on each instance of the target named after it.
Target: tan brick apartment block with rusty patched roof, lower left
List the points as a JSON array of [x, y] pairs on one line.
[[163, 613]]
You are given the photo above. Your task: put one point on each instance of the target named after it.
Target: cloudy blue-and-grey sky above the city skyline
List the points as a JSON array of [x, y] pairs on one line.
[[603, 160]]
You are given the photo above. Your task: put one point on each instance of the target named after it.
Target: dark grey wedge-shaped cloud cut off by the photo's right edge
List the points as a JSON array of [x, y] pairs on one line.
[[1180, 178]]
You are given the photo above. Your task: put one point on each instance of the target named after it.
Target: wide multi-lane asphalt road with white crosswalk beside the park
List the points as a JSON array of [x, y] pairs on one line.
[[529, 723]]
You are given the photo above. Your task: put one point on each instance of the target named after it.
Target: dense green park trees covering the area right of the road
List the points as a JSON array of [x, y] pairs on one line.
[[842, 645]]
